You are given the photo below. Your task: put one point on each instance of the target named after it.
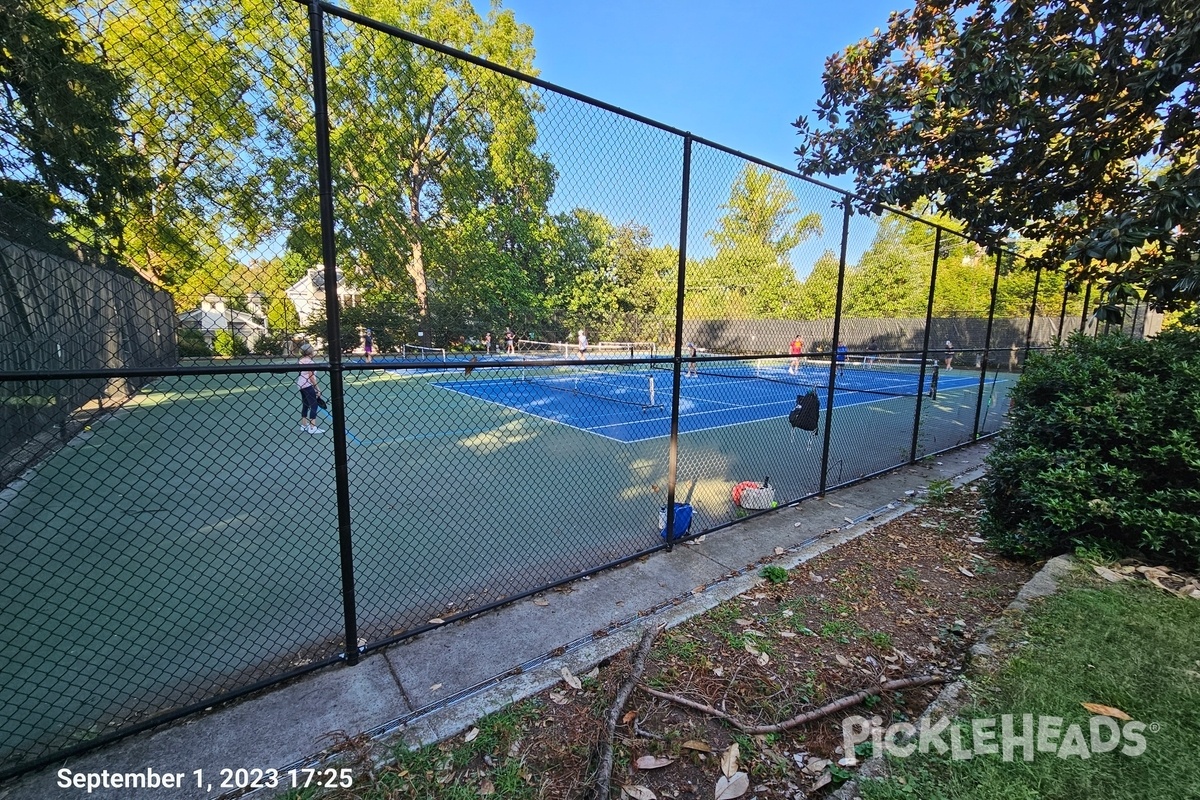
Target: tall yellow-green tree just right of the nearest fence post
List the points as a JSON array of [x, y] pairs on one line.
[[423, 143]]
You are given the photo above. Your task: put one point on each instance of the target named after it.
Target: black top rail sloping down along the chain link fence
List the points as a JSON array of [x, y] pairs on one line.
[[400, 33]]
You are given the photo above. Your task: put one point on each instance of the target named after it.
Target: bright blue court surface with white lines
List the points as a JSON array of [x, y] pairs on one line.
[[634, 404]]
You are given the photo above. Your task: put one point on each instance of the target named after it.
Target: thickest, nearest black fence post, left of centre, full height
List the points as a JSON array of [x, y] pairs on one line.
[[333, 326]]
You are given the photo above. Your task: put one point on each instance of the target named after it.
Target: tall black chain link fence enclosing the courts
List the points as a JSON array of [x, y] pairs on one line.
[[535, 323]]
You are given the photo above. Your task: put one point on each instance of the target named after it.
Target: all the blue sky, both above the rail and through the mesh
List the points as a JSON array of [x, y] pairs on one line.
[[736, 74]]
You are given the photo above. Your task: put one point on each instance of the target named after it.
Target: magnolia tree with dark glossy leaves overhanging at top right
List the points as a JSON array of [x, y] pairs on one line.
[[1073, 124]]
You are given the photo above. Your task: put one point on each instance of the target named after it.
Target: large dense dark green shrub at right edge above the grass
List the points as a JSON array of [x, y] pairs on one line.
[[1103, 447]]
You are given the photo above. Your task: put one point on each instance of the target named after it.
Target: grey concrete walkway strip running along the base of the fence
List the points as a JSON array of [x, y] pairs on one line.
[[436, 685]]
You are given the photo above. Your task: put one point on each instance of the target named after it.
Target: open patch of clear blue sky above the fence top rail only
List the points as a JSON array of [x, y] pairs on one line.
[[735, 73]]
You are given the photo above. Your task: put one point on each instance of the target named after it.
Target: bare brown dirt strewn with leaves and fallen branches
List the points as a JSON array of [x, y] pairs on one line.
[[904, 600]]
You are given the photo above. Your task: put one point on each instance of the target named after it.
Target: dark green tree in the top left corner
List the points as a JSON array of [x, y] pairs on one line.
[[62, 133]]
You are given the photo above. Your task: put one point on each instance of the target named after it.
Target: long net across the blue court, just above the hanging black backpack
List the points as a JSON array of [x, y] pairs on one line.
[[872, 375]]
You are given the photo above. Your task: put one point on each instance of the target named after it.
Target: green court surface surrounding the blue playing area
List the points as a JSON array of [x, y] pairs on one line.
[[188, 545]]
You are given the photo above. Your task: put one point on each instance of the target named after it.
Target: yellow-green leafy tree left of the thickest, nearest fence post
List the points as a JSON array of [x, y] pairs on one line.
[[197, 109]]
